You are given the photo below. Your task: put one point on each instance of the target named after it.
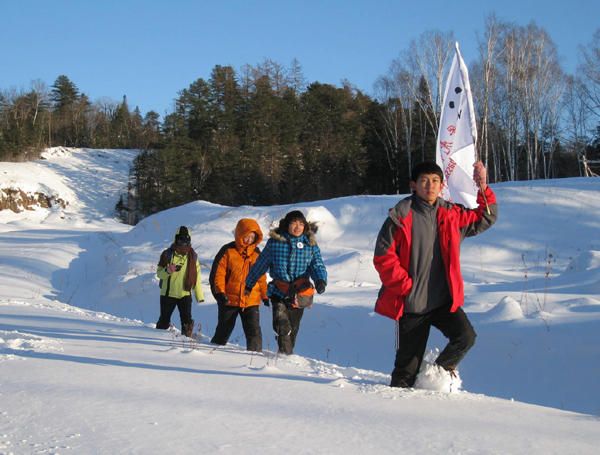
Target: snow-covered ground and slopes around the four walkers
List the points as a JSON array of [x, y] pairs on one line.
[[82, 370]]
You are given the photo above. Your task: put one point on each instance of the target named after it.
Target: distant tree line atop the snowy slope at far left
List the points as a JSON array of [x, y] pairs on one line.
[[41, 117]]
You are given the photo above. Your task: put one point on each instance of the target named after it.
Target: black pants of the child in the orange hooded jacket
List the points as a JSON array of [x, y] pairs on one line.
[[250, 317]]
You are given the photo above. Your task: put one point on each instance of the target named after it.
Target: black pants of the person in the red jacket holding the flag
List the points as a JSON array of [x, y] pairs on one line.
[[413, 330]]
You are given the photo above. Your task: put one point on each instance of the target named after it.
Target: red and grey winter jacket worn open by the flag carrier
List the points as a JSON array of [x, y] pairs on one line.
[[392, 251]]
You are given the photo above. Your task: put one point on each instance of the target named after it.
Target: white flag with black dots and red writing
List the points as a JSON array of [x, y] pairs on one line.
[[455, 151]]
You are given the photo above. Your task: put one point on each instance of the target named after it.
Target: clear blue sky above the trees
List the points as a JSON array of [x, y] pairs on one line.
[[149, 50]]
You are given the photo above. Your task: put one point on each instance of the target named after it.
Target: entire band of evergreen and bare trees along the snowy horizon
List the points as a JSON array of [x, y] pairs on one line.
[[264, 135]]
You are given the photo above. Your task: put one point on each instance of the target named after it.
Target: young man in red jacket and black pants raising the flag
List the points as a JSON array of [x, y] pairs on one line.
[[417, 255]]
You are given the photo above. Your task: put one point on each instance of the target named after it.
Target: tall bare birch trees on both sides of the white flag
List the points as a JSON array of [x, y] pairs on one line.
[[535, 121]]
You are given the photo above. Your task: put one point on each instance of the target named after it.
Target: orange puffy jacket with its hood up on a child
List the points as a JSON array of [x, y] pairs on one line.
[[231, 265]]
